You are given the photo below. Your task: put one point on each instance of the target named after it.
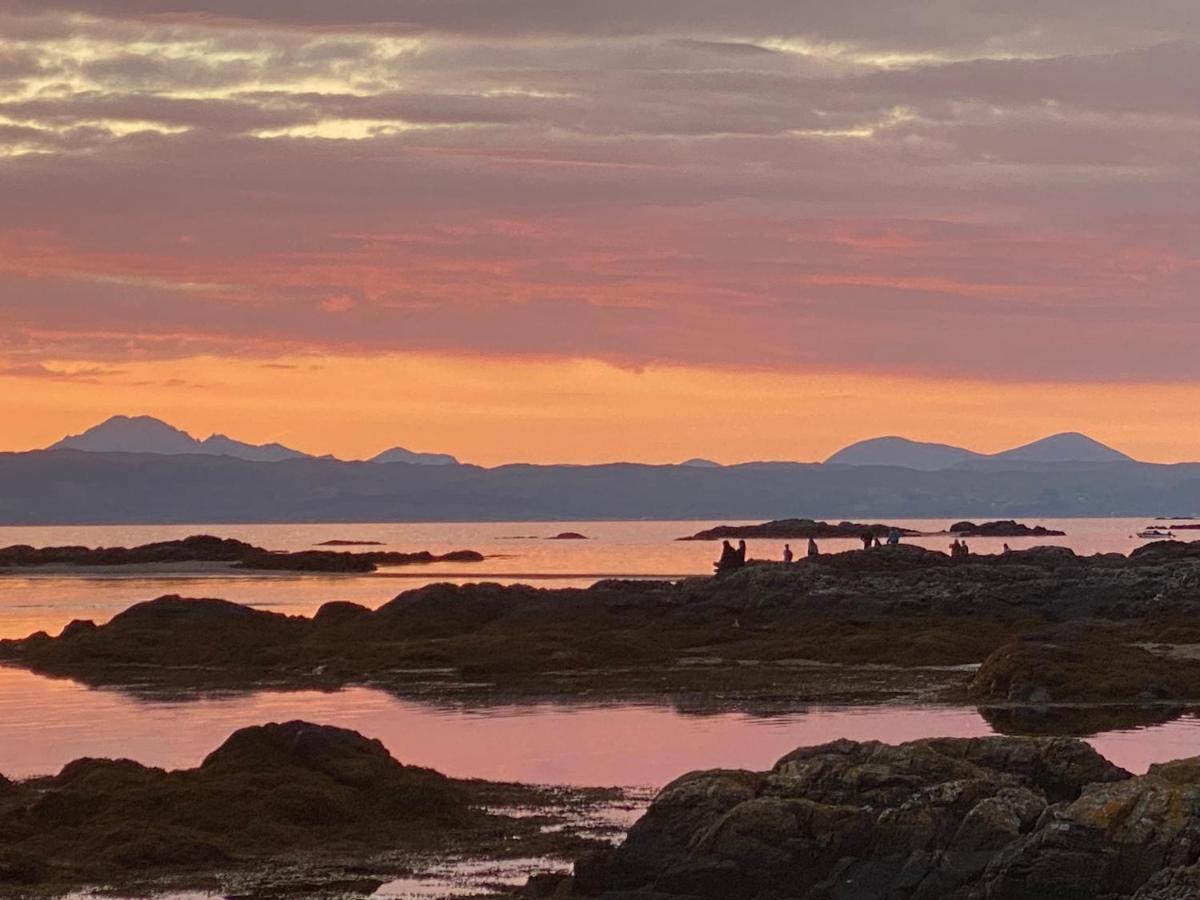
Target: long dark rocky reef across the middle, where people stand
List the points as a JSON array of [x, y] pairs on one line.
[[763, 633]]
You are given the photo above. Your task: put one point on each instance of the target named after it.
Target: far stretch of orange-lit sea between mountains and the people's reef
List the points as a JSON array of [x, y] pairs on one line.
[[517, 553]]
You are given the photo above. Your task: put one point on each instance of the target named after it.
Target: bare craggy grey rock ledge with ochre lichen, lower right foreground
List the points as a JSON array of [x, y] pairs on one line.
[[982, 819]]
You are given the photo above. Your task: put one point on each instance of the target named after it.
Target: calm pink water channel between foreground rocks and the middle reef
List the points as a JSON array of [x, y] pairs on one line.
[[45, 724]]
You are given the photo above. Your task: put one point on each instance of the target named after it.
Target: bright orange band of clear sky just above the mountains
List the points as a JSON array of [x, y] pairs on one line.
[[496, 411]]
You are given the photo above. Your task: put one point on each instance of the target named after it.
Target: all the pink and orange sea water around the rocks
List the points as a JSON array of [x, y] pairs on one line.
[[46, 723]]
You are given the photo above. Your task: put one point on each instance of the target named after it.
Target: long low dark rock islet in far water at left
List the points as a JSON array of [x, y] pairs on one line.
[[207, 549]]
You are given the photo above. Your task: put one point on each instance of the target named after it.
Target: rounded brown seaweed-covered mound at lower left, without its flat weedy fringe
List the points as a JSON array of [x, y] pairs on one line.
[[268, 790]]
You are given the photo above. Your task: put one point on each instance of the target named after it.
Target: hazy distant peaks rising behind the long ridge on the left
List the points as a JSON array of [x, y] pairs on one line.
[[147, 435]]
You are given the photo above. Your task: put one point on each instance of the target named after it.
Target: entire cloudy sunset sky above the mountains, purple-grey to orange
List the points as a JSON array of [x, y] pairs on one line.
[[581, 232]]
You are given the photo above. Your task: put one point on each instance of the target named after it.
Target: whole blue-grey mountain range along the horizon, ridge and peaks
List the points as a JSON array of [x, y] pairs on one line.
[[142, 471]]
